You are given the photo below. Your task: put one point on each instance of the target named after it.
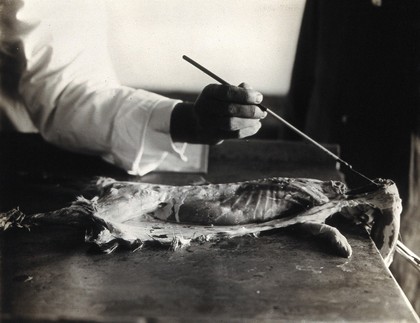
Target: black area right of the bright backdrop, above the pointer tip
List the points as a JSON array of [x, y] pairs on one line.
[[356, 82]]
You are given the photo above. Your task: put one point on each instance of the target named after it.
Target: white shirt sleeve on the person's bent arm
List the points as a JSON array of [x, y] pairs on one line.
[[73, 96]]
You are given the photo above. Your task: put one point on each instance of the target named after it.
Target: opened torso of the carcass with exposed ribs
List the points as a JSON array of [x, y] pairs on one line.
[[222, 204]]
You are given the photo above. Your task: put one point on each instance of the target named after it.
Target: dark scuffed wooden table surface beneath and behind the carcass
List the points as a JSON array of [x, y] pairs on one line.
[[50, 274]]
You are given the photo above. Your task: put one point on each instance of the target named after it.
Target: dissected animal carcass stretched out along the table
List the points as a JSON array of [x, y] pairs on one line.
[[131, 214]]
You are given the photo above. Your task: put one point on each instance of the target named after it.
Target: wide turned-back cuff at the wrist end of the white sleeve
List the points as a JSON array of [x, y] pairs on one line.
[[141, 141]]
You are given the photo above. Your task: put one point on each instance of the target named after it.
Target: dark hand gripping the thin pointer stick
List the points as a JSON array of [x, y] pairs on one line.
[[220, 112]]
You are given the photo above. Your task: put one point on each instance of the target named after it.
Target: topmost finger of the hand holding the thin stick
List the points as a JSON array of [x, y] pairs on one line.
[[231, 93]]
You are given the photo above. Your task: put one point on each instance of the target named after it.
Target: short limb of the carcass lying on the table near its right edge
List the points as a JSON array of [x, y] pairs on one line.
[[330, 235]]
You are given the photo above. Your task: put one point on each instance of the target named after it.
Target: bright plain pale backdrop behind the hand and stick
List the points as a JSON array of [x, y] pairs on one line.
[[242, 40]]
